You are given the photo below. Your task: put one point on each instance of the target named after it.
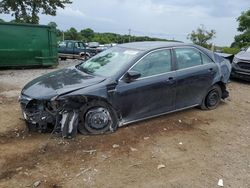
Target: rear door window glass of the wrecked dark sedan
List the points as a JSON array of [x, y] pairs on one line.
[[187, 57]]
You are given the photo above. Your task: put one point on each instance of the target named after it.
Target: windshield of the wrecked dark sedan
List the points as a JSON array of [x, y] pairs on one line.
[[109, 62]]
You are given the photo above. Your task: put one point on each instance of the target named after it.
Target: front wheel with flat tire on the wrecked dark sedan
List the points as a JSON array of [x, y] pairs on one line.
[[97, 117]]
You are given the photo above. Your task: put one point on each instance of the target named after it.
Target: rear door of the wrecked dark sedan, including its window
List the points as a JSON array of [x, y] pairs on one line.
[[195, 75]]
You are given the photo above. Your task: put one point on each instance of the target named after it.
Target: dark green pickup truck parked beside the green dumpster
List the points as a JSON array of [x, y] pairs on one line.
[[76, 50]]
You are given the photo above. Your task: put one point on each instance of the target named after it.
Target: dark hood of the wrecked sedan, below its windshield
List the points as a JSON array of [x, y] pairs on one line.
[[59, 82]]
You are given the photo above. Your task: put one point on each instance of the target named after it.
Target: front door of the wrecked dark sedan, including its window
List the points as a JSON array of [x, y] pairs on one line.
[[151, 94]]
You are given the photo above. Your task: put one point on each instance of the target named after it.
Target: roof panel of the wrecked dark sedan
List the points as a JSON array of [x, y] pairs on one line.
[[145, 46]]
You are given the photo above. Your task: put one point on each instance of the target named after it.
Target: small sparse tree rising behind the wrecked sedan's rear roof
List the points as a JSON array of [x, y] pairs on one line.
[[201, 36]]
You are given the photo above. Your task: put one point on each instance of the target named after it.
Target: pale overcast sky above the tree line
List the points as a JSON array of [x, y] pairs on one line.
[[172, 19]]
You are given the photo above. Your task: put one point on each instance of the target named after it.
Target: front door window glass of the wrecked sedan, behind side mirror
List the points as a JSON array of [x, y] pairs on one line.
[[157, 62]]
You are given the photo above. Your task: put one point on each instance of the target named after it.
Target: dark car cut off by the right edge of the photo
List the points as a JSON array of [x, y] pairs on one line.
[[241, 65]]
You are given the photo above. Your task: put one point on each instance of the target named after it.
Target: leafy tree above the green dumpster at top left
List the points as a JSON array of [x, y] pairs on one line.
[[26, 11]]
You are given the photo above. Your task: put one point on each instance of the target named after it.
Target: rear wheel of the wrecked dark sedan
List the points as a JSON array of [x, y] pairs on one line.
[[212, 98]]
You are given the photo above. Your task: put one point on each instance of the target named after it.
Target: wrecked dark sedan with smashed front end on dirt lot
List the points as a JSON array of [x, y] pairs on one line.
[[125, 84]]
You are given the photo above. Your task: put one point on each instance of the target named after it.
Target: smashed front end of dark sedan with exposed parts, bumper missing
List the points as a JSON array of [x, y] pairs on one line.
[[54, 115]]
